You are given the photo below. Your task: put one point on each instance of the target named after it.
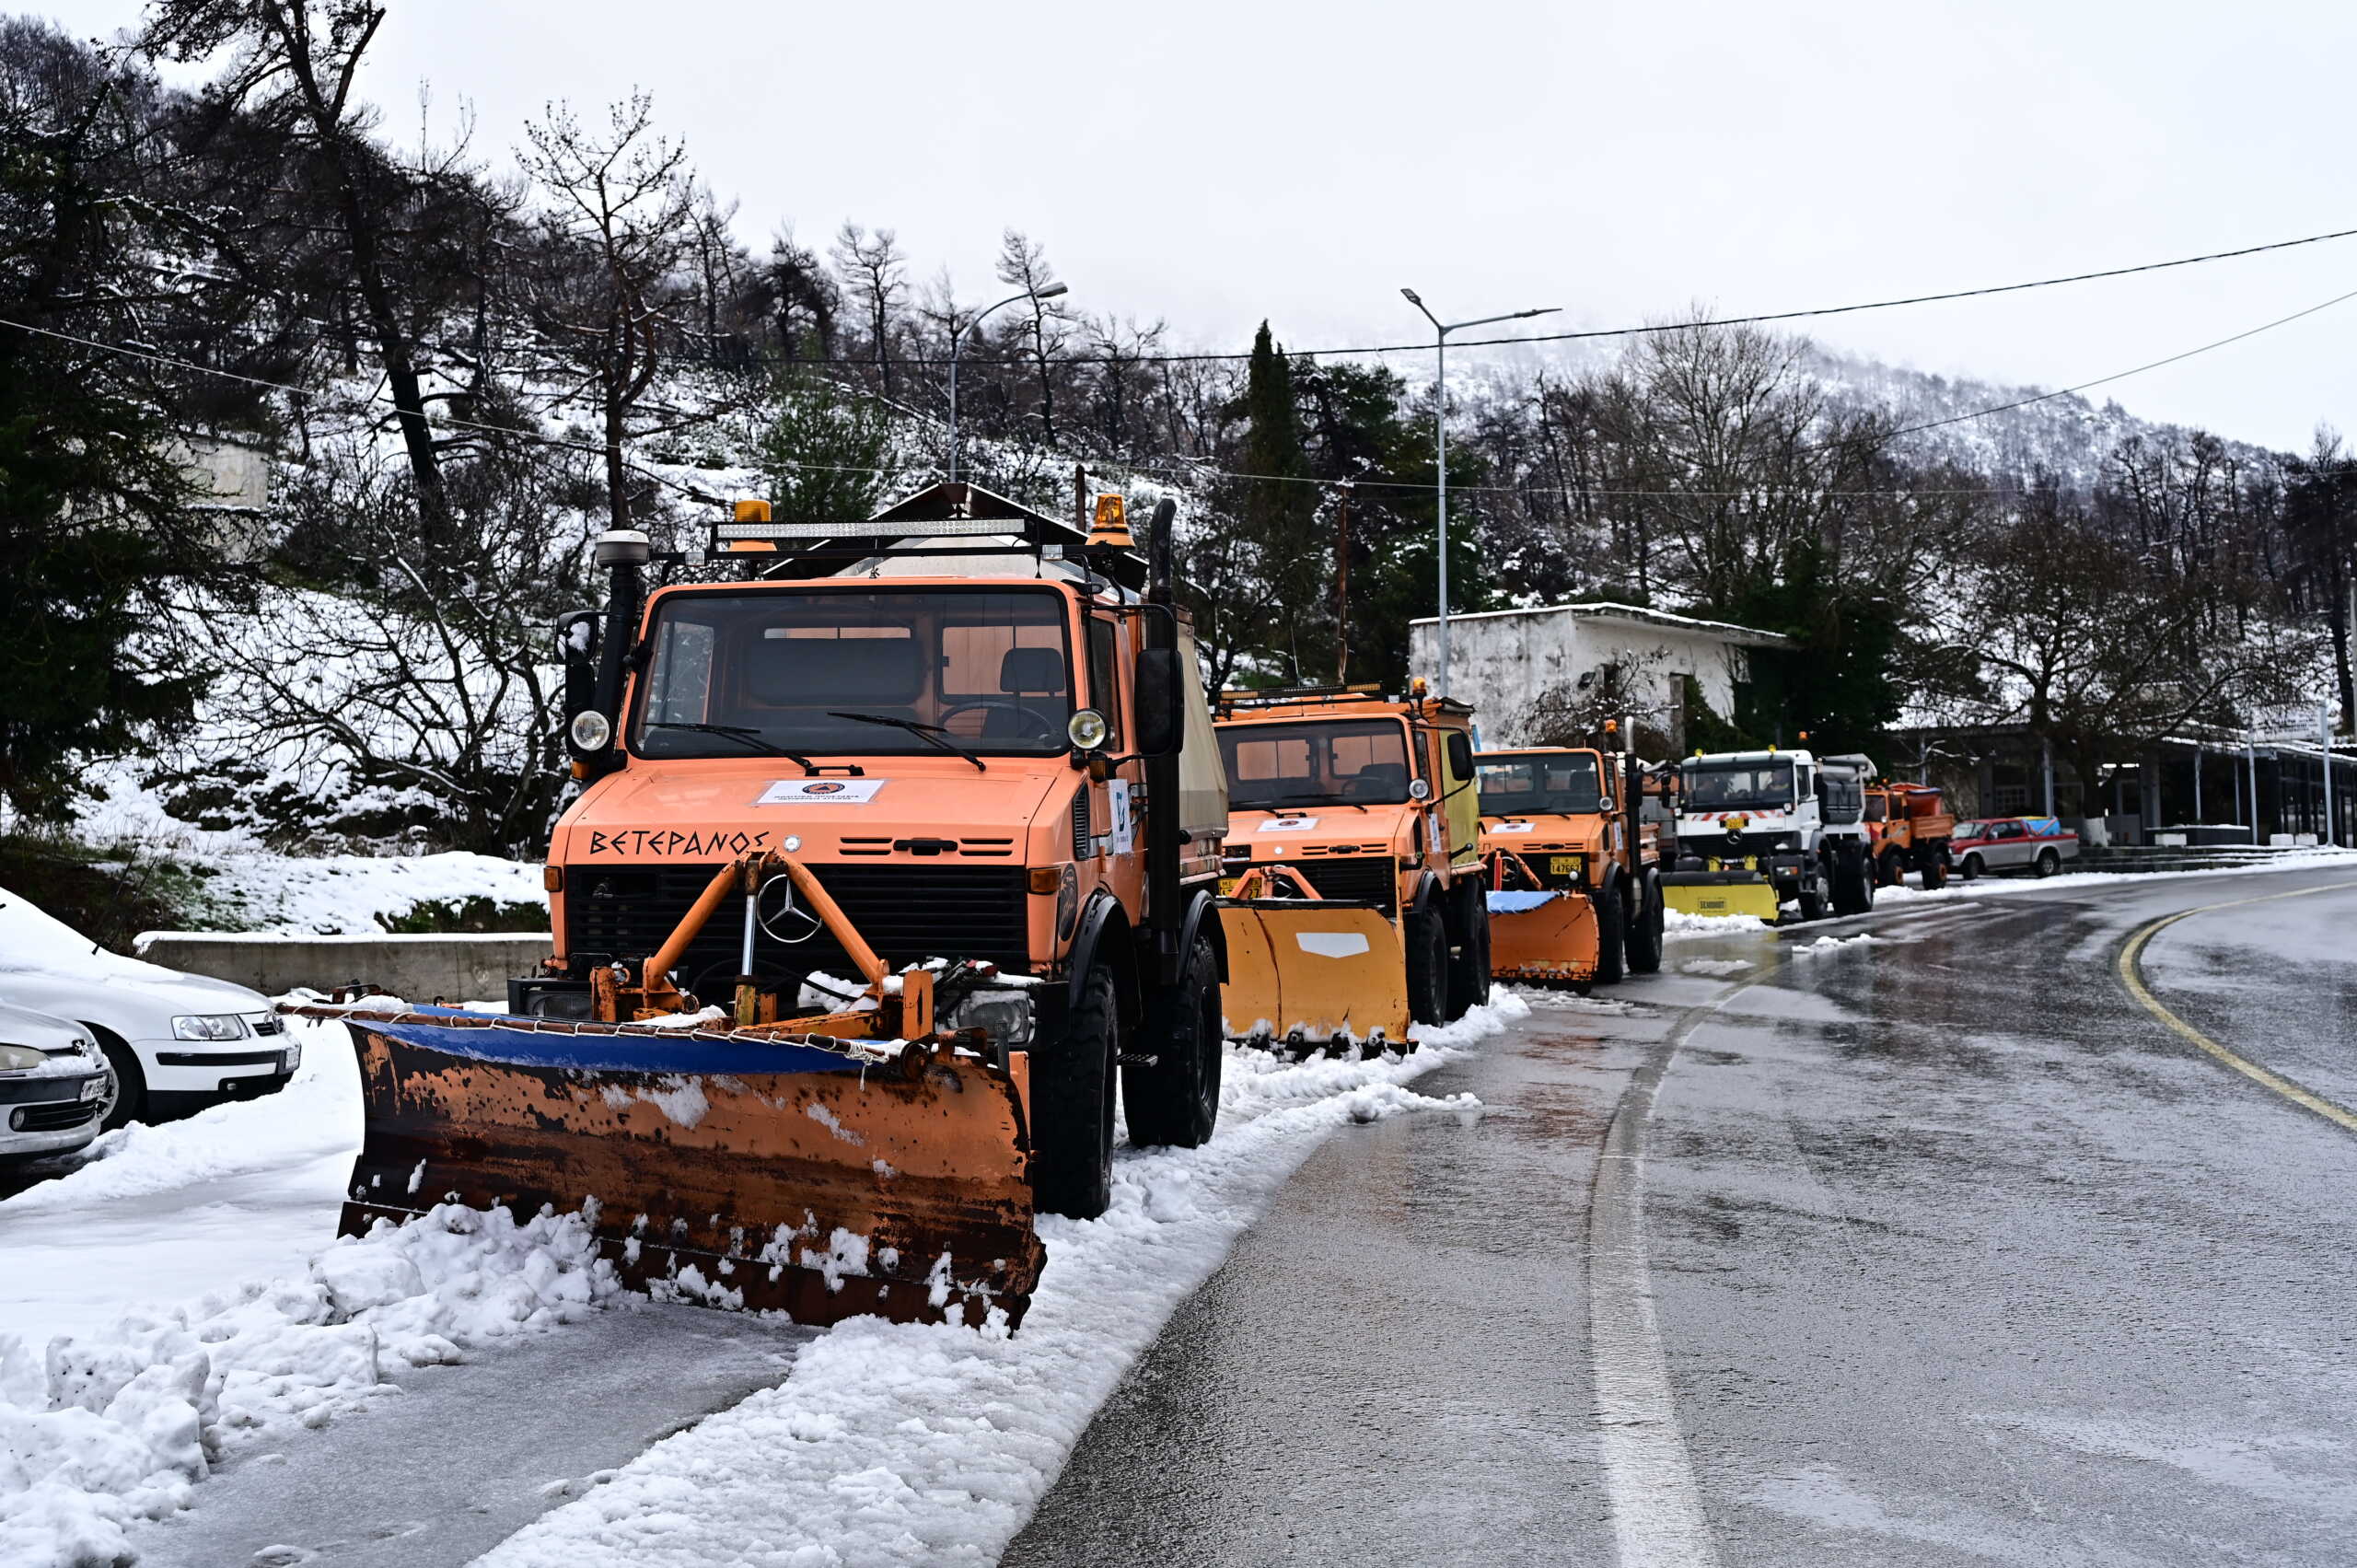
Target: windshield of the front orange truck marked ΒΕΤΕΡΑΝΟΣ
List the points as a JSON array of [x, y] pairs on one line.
[[786, 666]]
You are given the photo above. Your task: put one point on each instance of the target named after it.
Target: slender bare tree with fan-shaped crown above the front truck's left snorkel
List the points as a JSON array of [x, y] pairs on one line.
[[626, 204]]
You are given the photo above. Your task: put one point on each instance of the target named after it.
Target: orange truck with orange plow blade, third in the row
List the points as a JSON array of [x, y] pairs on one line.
[[1576, 874]]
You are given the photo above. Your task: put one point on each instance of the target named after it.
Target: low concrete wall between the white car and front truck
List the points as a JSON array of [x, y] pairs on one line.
[[414, 968]]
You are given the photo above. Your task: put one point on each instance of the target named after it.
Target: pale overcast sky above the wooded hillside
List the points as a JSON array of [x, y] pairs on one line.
[[1222, 162]]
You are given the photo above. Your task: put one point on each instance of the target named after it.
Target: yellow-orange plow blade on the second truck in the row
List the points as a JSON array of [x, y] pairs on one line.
[[1316, 970]]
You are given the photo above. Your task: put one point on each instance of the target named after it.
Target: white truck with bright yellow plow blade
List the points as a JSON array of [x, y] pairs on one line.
[[1769, 829]]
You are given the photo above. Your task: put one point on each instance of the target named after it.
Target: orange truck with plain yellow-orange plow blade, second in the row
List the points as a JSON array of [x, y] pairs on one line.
[[1354, 892]]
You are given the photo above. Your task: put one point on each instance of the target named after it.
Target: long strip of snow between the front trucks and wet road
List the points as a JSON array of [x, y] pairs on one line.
[[927, 1444]]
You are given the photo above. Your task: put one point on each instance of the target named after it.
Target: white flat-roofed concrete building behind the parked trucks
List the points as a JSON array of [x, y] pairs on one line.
[[1500, 664]]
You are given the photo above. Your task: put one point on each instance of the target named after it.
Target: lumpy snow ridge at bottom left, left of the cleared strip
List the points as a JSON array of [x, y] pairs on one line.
[[119, 1425]]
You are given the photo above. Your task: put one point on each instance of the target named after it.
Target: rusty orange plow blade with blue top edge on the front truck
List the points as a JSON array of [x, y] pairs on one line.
[[803, 1175]]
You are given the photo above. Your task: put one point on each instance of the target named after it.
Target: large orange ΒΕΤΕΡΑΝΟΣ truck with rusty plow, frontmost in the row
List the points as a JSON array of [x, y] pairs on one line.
[[892, 867]]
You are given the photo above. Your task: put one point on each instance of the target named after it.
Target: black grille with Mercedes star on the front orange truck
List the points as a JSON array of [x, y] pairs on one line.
[[906, 911]]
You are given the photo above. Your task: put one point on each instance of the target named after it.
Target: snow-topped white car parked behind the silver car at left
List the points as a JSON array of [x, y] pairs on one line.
[[176, 1041]]
